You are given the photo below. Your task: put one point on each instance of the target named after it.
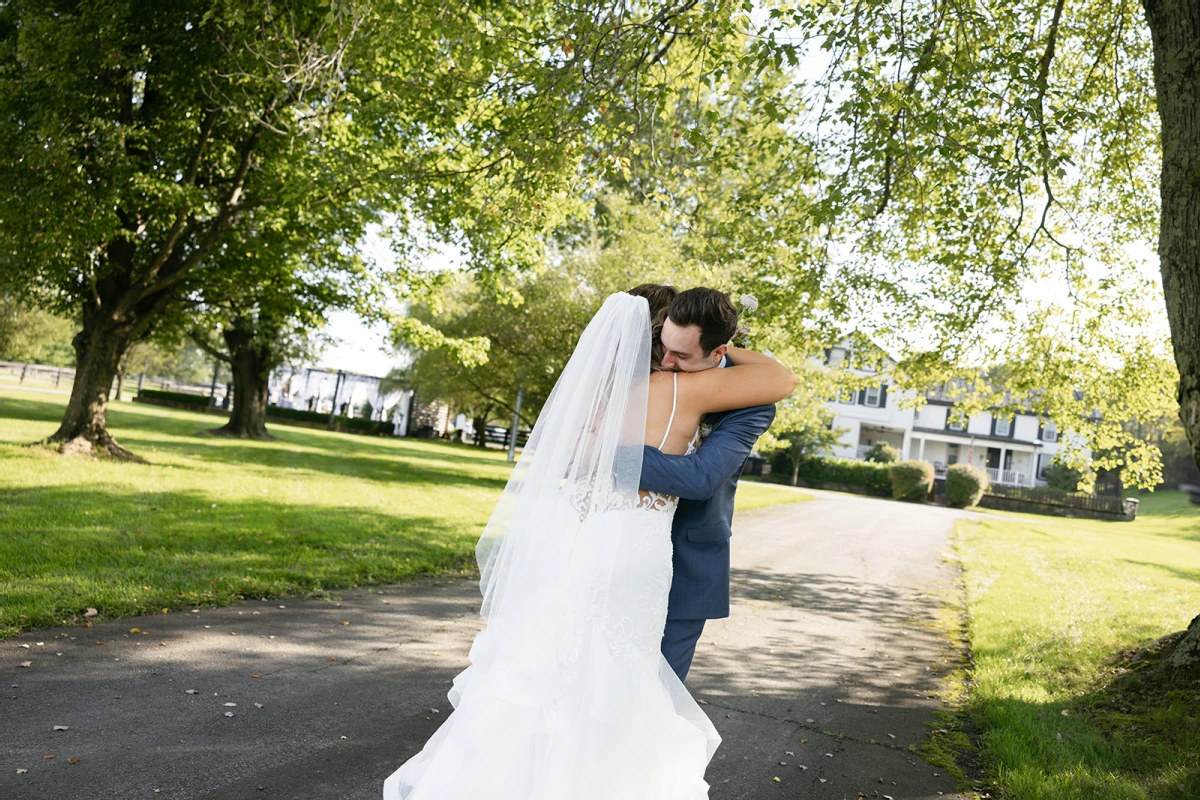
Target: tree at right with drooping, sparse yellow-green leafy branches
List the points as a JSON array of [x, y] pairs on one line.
[[992, 173]]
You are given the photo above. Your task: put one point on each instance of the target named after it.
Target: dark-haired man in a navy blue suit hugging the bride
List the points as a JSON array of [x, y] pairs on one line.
[[695, 336]]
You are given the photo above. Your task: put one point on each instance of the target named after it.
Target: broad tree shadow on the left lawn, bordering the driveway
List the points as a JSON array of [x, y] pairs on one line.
[[70, 549]]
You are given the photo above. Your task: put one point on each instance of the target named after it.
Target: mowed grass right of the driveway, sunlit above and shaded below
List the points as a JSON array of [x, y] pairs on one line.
[[1057, 606]]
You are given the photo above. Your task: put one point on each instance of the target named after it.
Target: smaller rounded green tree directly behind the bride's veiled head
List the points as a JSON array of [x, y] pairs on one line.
[[525, 335]]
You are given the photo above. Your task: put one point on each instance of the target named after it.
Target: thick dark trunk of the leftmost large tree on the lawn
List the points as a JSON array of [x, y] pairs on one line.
[[99, 350]]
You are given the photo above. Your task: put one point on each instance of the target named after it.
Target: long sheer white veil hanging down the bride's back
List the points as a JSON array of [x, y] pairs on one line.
[[544, 568]]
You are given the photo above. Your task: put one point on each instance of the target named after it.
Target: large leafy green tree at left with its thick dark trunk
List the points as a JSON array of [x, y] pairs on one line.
[[135, 137]]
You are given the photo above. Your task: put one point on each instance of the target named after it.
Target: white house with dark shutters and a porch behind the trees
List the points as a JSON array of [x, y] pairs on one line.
[[1013, 450]]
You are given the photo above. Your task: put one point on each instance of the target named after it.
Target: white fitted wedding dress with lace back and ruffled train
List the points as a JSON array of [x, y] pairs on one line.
[[568, 696]]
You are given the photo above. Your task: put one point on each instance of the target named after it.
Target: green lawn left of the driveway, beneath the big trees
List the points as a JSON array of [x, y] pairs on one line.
[[212, 520]]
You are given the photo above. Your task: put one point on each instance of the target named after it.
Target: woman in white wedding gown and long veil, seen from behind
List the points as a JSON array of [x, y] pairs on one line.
[[568, 695]]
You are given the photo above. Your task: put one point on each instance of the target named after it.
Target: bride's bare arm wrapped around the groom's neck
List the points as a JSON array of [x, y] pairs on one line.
[[754, 380]]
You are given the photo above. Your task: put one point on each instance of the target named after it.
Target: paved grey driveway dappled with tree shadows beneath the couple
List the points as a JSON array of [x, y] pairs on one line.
[[827, 654]]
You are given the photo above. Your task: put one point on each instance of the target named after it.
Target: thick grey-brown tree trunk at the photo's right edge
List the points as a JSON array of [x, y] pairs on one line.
[[1175, 31]]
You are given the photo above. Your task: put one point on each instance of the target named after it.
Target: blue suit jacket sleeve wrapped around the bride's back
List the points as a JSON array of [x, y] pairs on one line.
[[725, 452]]
